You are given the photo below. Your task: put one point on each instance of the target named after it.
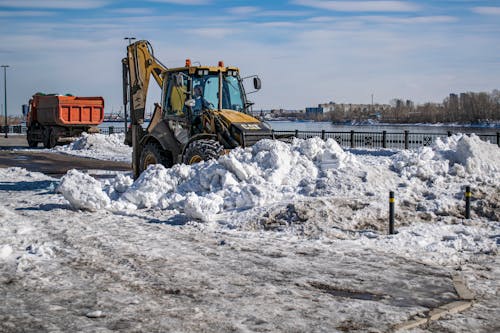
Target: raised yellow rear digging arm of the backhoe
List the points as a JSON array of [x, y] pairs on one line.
[[138, 67]]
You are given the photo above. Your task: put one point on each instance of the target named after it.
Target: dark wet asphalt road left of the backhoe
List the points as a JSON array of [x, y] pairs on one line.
[[53, 164]]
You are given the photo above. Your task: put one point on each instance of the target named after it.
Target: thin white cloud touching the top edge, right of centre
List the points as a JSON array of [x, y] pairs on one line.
[[360, 6]]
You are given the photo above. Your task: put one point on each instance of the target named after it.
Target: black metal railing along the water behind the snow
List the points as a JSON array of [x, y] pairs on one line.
[[350, 139]]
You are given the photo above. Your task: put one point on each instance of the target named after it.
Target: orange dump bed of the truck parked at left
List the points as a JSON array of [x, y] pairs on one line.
[[69, 111]]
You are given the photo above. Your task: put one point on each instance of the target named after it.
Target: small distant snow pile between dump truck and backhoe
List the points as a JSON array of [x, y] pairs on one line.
[[99, 146]]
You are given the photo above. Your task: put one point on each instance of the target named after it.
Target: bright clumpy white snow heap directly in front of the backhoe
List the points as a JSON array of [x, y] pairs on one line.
[[268, 172]]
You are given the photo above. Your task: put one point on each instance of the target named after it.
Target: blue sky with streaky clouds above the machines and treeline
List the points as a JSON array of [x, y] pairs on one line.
[[305, 51]]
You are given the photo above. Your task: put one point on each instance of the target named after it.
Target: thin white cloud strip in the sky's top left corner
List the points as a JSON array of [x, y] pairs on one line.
[[54, 4]]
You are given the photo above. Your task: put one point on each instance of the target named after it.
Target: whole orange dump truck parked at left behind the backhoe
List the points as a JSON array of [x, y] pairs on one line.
[[56, 118]]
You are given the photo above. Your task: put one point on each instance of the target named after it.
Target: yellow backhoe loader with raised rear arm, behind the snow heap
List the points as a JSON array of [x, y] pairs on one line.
[[204, 110]]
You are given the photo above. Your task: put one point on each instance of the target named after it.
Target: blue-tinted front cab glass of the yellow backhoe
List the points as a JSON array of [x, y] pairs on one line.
[[208, 88]]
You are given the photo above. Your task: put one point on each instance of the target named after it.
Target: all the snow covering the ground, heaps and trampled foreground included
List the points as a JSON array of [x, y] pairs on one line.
[[261, 239]]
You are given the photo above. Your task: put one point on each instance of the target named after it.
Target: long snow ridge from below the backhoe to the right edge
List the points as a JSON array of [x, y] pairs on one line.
[[274, 173]]
